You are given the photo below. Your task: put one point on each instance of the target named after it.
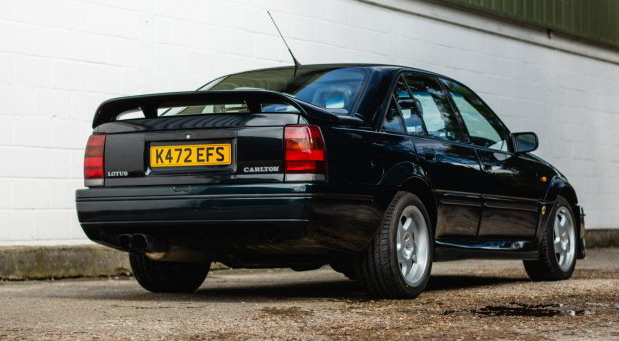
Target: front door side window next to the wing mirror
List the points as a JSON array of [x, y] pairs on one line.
[[483, 125]]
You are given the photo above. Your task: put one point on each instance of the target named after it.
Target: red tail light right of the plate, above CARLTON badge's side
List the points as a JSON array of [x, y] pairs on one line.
[[305, 155]]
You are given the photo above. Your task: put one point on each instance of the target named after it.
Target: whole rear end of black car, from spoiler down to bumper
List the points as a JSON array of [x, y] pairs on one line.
[[231, 174]]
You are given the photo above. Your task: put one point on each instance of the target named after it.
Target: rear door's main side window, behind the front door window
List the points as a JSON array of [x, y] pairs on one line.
[[431, 103]]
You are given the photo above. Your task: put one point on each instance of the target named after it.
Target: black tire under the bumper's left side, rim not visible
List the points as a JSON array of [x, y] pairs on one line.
[[171, 277]]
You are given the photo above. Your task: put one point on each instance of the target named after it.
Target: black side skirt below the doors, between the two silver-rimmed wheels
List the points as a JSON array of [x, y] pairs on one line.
[[485, 249]]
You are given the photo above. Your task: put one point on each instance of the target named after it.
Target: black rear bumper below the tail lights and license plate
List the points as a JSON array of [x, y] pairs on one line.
[[289, 215]]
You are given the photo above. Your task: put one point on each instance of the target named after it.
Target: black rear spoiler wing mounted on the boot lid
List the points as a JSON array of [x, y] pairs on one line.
[[148, 104]]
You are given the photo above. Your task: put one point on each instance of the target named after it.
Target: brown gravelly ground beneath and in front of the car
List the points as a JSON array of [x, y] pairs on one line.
[[464, 300]]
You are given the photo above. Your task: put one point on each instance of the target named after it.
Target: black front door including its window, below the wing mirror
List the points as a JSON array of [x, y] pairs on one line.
[[511, 188]]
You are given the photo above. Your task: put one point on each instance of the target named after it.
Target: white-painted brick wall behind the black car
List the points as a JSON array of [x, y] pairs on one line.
[[60, 59]]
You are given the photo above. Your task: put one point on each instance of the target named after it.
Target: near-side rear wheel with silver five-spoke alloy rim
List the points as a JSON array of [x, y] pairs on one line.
[[398, 261]]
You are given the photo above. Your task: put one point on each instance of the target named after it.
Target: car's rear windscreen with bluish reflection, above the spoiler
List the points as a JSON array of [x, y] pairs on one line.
[[335, 89]]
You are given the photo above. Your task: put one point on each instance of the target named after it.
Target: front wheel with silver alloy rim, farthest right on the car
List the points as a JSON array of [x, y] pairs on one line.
[[557, 253]]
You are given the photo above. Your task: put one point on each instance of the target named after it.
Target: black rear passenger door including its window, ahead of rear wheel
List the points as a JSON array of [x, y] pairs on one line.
[[450, 163]]
